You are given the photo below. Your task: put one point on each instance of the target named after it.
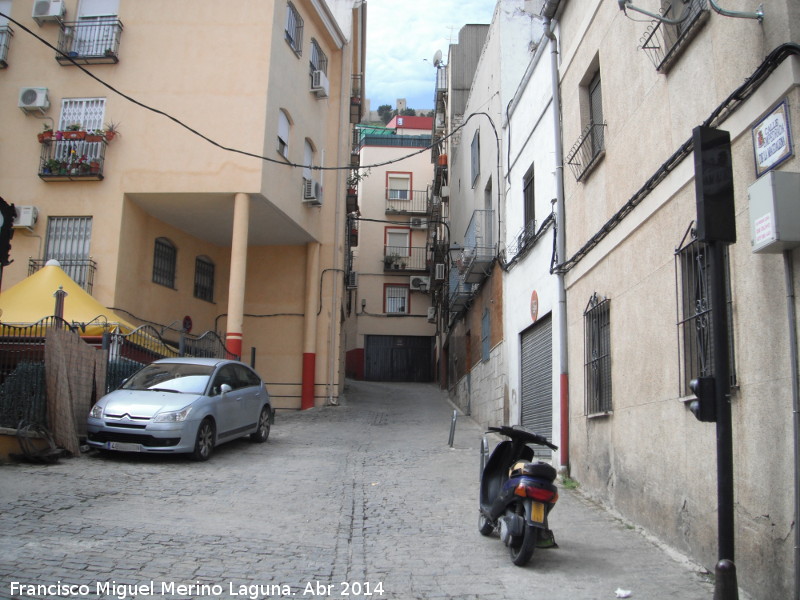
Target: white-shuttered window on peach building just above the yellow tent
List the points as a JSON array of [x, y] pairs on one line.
[[68, 242]]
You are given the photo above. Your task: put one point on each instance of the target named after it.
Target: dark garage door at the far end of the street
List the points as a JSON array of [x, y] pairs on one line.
[[398, 358]]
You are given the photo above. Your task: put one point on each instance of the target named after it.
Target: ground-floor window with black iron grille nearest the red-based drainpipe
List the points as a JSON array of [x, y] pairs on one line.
[[597, 352]]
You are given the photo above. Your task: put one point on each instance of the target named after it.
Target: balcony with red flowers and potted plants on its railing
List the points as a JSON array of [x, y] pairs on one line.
[[72, 160]]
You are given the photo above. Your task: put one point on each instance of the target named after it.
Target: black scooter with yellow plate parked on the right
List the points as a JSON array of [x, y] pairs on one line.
[[517, 494]]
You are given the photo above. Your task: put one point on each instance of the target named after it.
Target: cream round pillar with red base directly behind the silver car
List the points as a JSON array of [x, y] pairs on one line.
[[236, 283]]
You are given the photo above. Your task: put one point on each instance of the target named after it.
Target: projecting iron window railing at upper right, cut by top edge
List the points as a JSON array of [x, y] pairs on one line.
[[664, 42]]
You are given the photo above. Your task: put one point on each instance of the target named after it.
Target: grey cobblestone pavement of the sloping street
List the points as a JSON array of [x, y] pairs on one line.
[[362, 500]]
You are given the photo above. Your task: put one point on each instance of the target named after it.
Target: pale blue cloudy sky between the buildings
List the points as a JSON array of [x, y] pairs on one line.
[[402, 38]]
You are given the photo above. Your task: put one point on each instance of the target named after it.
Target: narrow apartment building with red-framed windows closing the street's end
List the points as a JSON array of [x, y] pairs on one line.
[[389, 330]]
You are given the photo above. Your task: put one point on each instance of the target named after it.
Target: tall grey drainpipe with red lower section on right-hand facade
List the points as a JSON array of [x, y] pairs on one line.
[[548, 12]]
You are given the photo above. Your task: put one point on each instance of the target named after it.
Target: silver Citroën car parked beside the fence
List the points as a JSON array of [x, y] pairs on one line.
[[182, 405]]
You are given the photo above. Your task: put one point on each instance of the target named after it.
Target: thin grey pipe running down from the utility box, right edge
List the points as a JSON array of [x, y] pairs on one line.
[[788, 267]]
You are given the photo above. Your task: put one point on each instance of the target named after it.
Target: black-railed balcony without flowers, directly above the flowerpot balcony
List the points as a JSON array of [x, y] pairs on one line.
[[89, 41]]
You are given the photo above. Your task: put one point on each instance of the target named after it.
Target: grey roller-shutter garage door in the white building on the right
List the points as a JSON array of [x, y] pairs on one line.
[[537, 379]]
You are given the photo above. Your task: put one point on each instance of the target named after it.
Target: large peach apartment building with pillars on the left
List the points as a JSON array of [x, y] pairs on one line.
[[218, 205]]
